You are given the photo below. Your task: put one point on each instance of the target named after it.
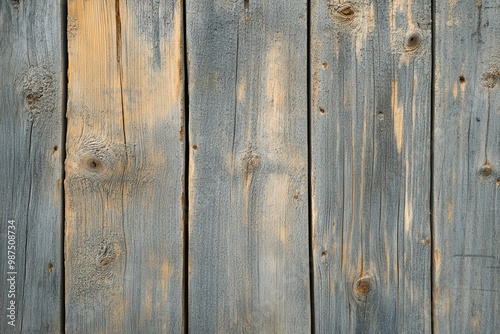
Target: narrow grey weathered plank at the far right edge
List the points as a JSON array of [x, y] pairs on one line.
[[467, 167]]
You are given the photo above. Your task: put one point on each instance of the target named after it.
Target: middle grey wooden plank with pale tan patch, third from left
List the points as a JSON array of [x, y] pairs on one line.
[[248, 202]]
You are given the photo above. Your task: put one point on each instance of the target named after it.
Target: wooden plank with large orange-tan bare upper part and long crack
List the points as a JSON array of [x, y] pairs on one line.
[[124, 168]]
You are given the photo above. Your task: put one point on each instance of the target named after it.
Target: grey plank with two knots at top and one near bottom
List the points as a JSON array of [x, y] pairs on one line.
[[370, 173]]
